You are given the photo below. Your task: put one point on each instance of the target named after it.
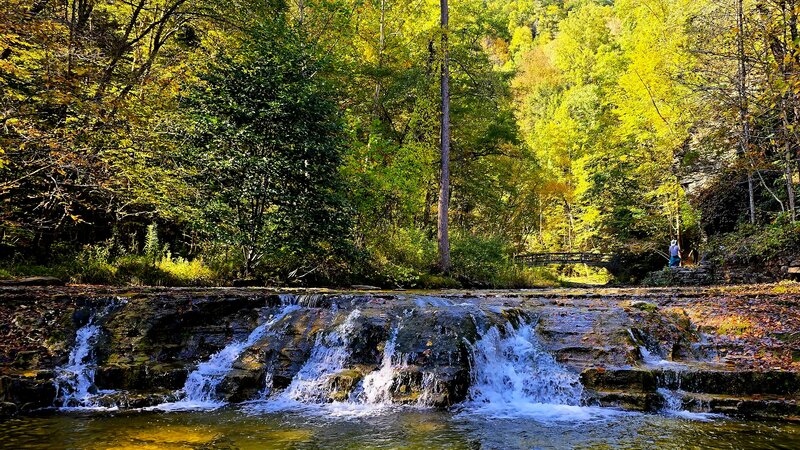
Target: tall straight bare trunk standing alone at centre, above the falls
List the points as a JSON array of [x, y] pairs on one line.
[[444, 182]]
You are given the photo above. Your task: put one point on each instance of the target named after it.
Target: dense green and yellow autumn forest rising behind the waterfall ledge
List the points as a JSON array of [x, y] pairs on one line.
[[197, 142]]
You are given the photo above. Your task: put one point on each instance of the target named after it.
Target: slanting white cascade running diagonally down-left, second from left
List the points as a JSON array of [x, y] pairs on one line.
[[199, 391]]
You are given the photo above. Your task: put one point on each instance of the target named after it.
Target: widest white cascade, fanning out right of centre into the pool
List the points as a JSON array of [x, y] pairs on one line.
[[513, 377]]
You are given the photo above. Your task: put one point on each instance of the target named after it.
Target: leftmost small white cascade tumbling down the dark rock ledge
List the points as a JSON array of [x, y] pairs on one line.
[[74, 382]]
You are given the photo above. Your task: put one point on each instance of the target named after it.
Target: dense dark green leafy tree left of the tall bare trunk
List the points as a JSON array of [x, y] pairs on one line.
[[268, 147]]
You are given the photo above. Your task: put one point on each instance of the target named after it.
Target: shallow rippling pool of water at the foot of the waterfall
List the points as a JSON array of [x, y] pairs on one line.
[[257, 428]]
